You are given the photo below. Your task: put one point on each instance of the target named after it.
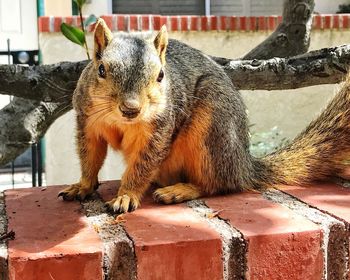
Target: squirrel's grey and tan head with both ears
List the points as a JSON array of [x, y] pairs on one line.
[[130, 78]]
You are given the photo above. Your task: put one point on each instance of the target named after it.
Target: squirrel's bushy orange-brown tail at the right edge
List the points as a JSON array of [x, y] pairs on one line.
[[321, 152]]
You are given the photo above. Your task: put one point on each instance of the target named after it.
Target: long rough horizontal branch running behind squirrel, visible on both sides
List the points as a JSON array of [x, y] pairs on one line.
[[325, 66]]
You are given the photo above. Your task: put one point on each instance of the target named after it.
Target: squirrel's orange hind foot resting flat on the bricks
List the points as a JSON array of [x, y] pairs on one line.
[[177, 193]]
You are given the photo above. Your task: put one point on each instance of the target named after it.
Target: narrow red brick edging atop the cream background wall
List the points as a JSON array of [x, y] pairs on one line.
[[118, 22]]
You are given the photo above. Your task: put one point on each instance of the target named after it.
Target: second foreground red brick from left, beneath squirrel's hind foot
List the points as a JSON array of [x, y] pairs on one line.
[[171, 241]]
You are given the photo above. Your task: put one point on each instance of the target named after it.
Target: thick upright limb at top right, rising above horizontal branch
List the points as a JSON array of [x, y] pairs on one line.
[[292, 36]]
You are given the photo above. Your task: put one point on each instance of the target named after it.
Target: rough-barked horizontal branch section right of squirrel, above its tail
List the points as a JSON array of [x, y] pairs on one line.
[[325, 66]]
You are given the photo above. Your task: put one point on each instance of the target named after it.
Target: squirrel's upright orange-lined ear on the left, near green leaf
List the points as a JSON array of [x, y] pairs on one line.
[[102, 37]]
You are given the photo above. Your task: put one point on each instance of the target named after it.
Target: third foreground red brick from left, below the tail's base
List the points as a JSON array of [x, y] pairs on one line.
[[281, 244]]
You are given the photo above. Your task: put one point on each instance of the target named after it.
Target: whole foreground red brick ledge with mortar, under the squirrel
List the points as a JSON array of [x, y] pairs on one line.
[[271, 236]]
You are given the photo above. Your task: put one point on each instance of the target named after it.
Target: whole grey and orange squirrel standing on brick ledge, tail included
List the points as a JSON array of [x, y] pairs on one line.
[[178, 120]]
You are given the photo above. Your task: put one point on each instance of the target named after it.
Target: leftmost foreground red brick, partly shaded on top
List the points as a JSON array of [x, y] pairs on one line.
[[53, 239]]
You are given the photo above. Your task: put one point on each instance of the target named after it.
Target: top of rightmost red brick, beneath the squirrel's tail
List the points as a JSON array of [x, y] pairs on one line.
[[330, 198]]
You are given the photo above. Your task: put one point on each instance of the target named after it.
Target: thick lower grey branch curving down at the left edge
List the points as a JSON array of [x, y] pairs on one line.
[[24, 122]]
